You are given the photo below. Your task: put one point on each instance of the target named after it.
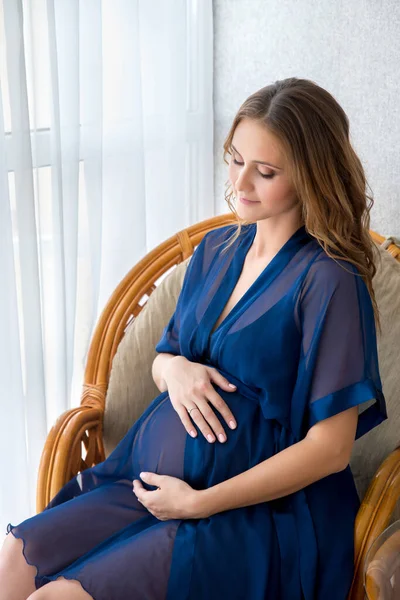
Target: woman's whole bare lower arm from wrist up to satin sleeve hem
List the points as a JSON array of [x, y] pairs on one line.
[[325, 450]]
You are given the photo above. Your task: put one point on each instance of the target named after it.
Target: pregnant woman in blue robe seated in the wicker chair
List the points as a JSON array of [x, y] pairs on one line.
[[280, 306]]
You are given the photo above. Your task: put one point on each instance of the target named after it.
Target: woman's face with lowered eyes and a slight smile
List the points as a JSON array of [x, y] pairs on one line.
[[268, 185]]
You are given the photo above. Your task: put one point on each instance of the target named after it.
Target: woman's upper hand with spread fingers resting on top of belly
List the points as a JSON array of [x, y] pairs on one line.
[[189, 386]]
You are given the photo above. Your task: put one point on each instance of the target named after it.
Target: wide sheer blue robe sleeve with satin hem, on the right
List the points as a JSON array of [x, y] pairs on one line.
[[339, 357]]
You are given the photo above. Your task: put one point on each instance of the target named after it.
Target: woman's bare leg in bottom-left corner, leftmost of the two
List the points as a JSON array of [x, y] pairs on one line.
[[17, 578]]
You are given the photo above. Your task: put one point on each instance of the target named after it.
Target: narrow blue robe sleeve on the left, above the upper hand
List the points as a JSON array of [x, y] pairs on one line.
[[169, 341]]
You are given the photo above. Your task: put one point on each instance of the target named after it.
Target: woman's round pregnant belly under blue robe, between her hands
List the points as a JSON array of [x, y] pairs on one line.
[[162, 445]]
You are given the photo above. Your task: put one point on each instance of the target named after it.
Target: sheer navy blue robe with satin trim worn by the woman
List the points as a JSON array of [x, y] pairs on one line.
[[300, 345]]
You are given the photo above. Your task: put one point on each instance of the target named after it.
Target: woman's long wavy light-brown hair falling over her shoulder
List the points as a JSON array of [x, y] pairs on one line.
[[326, 173]]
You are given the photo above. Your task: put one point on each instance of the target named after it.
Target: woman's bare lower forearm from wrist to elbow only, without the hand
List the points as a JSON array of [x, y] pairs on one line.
[[284, 473]]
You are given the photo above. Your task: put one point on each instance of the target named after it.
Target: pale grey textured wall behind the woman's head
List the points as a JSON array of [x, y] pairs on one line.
[[352, 49]]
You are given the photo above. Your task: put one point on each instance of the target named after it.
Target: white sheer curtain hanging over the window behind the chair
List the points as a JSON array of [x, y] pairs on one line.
[[106, 149]]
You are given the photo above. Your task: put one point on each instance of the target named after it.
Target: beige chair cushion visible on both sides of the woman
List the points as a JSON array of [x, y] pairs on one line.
[[131, 387]]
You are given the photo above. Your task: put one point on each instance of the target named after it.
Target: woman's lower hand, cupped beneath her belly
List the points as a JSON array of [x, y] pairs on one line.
[[175, 499]]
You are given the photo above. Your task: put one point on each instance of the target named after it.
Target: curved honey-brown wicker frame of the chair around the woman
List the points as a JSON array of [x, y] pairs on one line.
[[76, 440]]
